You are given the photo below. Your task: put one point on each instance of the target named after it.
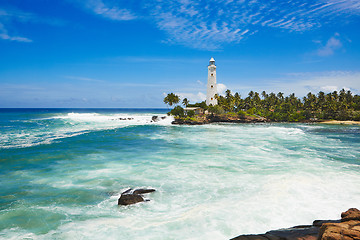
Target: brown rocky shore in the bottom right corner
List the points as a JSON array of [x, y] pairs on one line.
[[347, 228]]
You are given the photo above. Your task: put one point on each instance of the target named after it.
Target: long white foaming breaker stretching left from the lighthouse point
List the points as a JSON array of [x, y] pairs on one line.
[[58, 127]]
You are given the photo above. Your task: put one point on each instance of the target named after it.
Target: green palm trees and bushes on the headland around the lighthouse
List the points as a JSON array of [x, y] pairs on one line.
[[342, 105]]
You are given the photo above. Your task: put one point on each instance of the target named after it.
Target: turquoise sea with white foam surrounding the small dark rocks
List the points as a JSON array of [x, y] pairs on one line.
[[63, 170]]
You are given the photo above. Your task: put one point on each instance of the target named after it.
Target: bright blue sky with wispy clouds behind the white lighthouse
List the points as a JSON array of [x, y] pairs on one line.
[[130, 53]]
